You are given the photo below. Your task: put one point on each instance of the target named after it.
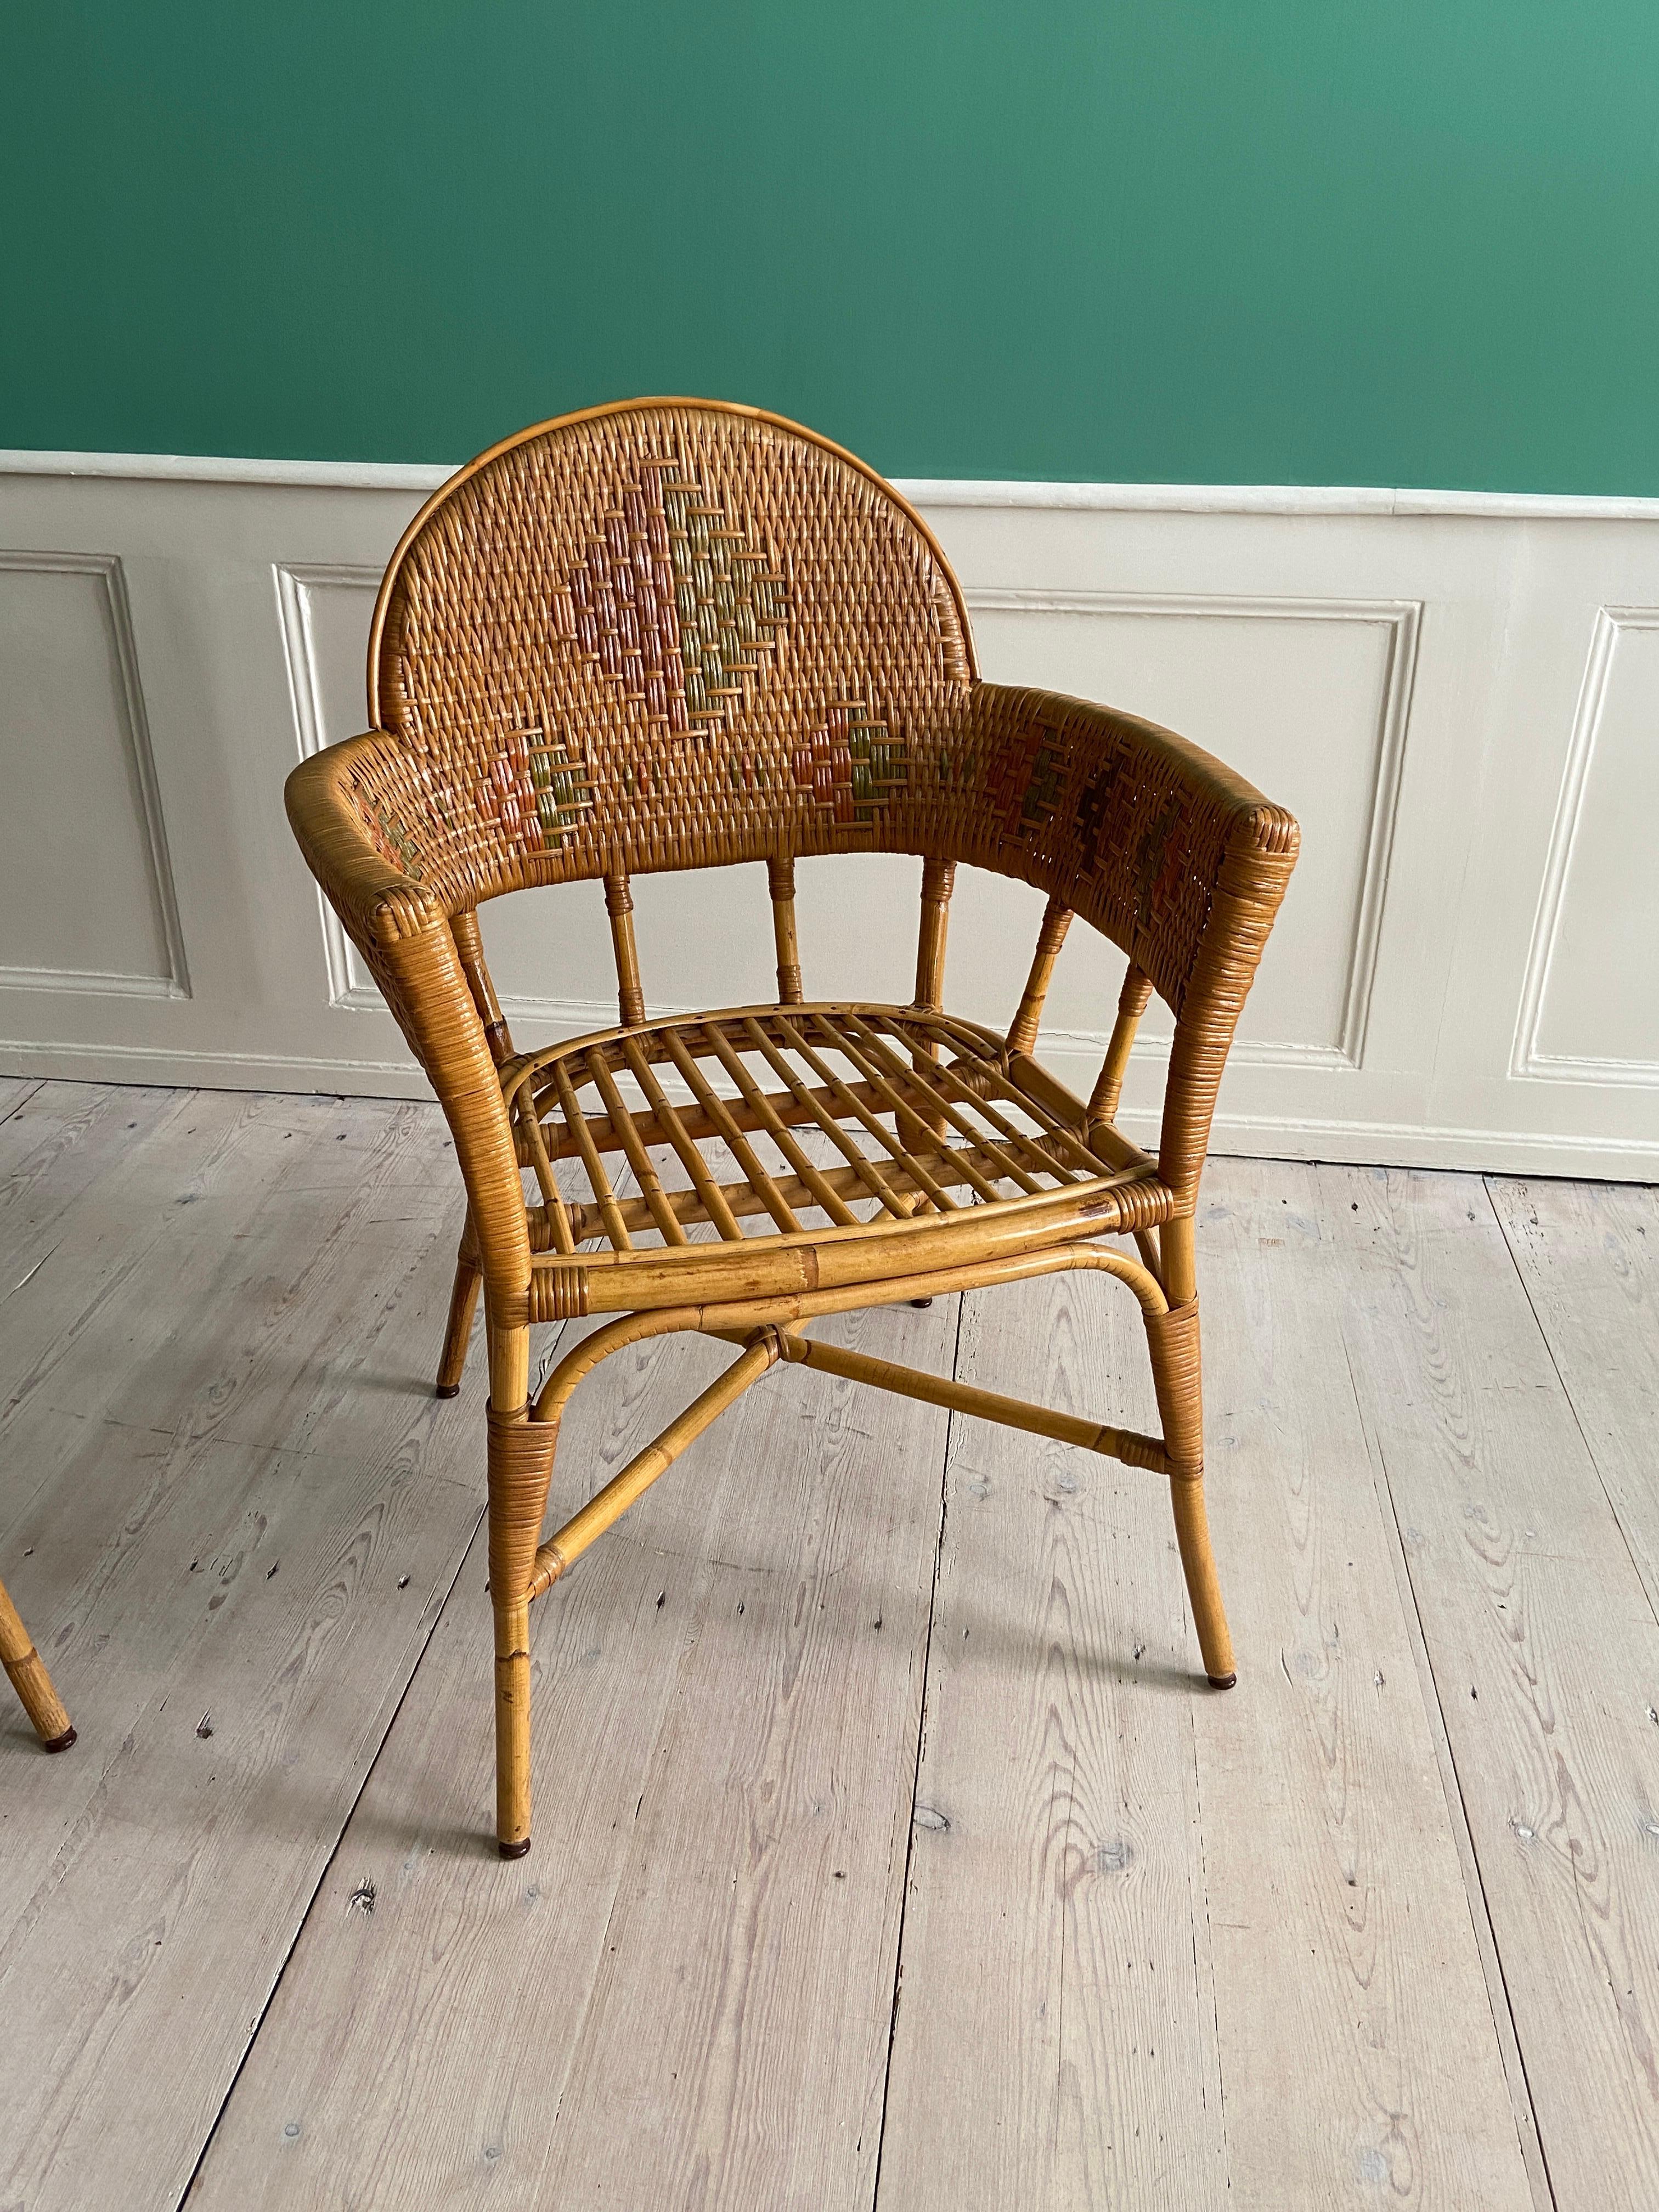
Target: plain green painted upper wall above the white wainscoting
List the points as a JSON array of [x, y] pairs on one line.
[[1211, 242]]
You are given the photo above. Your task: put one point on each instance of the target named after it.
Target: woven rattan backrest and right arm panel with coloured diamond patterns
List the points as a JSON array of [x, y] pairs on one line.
[[676, 634]]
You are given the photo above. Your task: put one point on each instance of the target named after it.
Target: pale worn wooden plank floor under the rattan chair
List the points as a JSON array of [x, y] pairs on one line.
[[888, 1853]]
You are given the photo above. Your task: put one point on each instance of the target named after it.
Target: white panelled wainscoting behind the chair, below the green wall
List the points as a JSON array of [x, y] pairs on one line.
[[1457, 696]]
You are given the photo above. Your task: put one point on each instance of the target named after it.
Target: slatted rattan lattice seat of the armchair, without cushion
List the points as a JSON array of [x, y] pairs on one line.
[[921, 1127]]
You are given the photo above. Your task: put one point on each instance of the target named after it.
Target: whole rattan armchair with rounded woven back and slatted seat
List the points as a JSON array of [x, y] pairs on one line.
[[676, 636]]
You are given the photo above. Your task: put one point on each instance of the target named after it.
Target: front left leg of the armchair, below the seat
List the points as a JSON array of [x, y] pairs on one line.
[[521, 1472]]
